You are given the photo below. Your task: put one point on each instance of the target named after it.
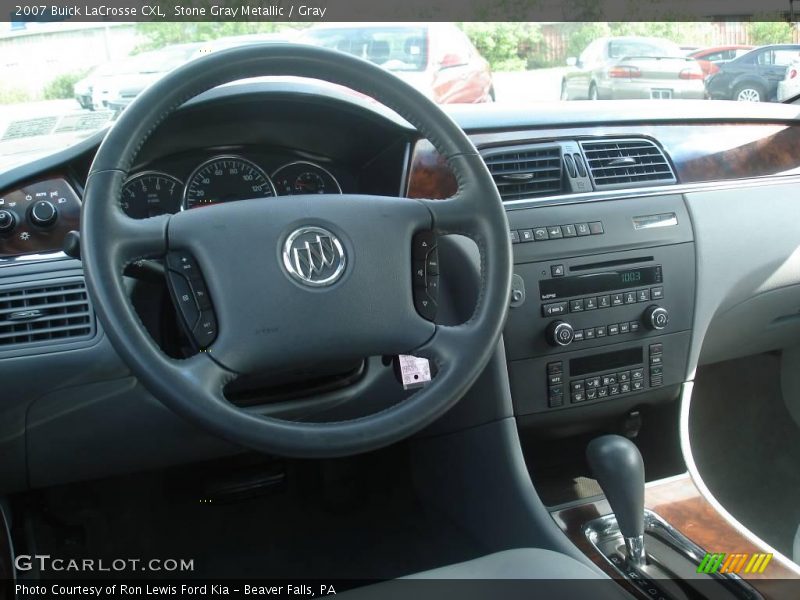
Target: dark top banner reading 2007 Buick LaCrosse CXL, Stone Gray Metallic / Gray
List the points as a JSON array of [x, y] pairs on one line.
[[407, 10]]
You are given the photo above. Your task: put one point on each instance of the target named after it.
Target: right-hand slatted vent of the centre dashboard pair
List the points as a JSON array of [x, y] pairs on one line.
[[626, 163]]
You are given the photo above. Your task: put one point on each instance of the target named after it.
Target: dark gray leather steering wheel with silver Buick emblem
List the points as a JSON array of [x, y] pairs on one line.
[[264, 262]]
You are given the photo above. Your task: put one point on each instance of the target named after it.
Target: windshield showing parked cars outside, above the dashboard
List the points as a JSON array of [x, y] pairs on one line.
[[62, 81]]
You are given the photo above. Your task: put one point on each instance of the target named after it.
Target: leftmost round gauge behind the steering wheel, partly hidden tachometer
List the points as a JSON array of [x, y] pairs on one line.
[[151, 193]]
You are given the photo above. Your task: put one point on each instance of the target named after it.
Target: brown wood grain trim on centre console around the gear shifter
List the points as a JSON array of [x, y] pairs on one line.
[[680, 503]]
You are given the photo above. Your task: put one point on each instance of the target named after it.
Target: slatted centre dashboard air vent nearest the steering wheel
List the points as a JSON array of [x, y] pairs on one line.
[[525, 171]]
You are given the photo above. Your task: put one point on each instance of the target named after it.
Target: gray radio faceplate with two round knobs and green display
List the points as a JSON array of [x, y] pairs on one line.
[[602, 299]]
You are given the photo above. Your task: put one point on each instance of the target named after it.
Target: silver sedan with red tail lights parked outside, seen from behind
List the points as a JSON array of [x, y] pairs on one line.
[[616, 68]]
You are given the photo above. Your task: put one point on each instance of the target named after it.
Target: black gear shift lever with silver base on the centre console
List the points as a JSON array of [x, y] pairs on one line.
[[617, 465]]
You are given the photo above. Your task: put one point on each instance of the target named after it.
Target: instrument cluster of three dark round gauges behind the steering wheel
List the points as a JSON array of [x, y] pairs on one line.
[[222, 178]]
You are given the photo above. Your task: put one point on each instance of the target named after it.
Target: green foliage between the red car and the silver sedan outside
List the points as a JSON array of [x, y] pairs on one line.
[[507, 46]]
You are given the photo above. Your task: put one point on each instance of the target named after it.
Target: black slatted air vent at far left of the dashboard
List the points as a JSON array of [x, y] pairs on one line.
[[42, 315]]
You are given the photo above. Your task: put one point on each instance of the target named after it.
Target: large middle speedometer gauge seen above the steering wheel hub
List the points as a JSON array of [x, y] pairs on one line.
[[225, 179]]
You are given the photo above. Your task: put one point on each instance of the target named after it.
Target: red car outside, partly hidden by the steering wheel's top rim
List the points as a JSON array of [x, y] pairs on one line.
[[436, 58]]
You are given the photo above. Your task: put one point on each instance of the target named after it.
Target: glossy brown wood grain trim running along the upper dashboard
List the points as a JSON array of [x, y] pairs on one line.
[[699, 153]]
